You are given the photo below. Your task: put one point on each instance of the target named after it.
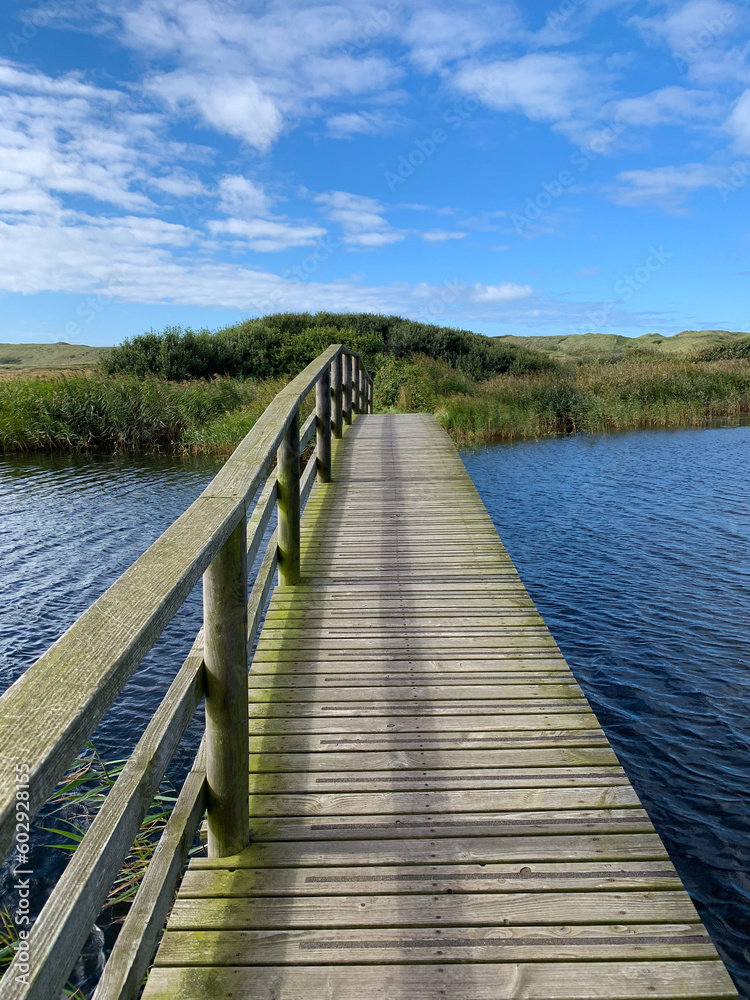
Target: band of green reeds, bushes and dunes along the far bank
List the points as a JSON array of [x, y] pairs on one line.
[[187, 392]]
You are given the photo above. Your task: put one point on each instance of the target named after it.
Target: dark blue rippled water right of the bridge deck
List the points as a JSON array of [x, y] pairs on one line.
[[636, 550]]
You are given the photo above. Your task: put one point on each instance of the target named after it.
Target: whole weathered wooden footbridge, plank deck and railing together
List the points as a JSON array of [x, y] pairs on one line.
[[433, 809]]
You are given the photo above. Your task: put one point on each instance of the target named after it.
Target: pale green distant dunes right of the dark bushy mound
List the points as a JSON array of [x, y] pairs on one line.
[[611, 345]]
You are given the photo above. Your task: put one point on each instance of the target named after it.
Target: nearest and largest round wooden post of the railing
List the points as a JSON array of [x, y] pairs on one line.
[[225, 655]]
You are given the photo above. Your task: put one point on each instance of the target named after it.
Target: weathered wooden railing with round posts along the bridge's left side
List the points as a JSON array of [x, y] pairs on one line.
[[49, 713]]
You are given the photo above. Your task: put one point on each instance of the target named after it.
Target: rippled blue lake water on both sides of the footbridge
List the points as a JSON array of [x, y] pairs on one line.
[[635, 548]]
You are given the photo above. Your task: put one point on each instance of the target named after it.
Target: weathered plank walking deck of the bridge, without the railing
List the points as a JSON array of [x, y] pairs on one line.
[[435, 812]]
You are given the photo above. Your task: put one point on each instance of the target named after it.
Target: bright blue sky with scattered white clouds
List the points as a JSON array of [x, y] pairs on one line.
[[529, 169]]
